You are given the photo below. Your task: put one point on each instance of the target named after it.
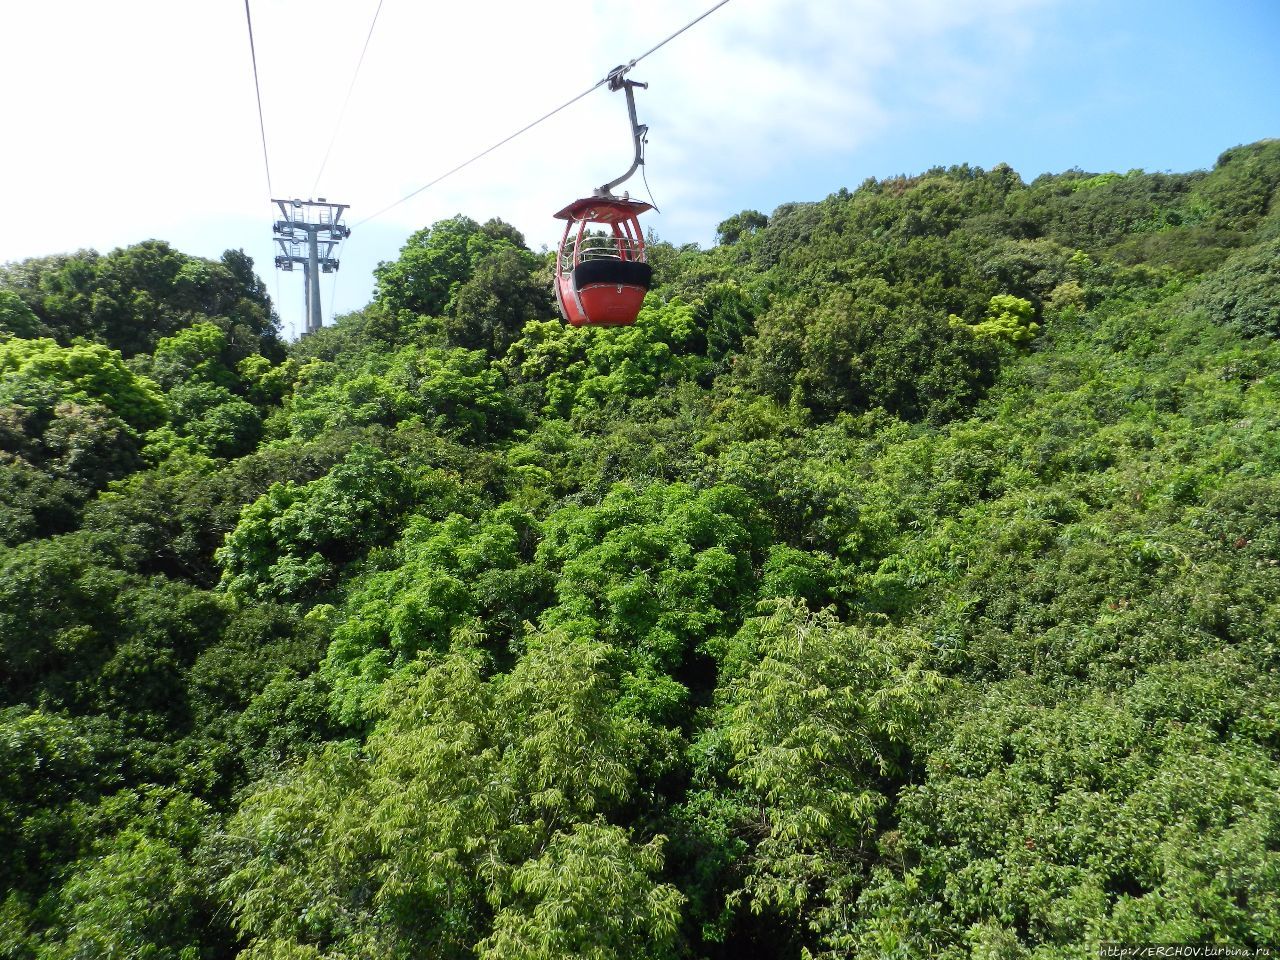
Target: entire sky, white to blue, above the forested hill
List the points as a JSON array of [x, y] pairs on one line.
[[138, 120]]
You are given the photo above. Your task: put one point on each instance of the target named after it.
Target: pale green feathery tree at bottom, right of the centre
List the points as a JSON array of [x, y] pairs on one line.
[[821, 720]]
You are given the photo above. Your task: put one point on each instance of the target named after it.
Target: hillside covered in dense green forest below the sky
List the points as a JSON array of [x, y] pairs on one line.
[[904, 584]]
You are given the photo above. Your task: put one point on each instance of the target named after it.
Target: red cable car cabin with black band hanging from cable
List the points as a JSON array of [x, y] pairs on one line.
[[601, 281]]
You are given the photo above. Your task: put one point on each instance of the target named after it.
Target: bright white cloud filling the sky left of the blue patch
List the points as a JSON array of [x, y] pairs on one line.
[[138, 120]]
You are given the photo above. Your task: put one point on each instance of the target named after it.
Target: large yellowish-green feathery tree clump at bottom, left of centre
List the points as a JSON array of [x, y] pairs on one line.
[[468, 796]]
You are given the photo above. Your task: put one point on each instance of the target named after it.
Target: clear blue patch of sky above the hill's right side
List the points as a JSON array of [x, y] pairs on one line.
[[1101, 86]]
